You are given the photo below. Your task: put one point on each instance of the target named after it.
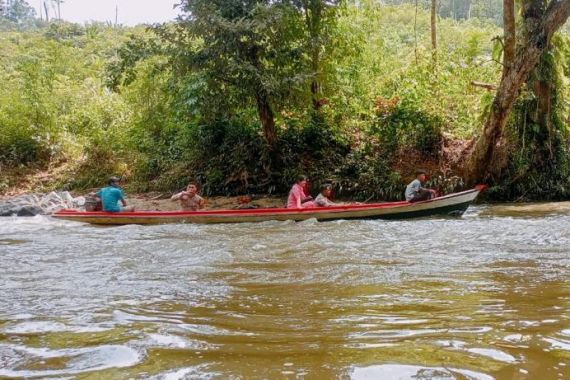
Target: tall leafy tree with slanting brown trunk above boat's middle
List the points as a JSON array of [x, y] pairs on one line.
[[246, 45]]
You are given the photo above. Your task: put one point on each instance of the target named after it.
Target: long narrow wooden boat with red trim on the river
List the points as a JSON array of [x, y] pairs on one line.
[[448, 205]]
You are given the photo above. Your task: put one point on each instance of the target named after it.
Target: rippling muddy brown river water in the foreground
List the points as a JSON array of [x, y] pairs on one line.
[[482, 297]]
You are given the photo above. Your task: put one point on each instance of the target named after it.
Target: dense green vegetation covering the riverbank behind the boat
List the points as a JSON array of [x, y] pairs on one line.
[[243, 96]]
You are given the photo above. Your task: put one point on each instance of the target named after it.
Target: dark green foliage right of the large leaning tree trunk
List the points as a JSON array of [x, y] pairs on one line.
[[538, 132]]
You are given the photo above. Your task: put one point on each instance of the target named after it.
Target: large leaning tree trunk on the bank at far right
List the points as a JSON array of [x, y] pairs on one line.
[[487, 161]]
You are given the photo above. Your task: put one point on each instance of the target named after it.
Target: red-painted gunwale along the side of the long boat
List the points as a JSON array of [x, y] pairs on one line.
[[258, 211]]
